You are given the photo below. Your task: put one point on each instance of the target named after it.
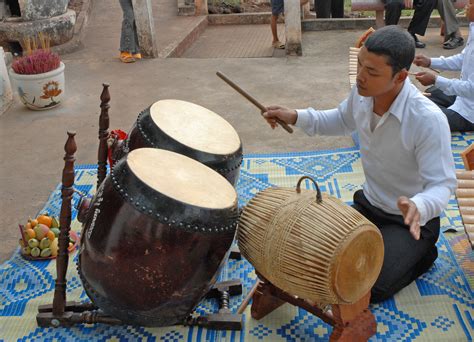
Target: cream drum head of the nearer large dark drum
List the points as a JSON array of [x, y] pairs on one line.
[[181, 178]]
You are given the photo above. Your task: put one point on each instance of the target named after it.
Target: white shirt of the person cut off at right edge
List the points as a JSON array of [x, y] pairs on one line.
[[463, 88]]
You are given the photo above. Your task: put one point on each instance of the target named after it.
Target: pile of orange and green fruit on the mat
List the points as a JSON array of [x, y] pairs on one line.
[[40, 237]]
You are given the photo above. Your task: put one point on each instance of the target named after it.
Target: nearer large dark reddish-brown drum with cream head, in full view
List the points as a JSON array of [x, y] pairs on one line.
[[156, 234]]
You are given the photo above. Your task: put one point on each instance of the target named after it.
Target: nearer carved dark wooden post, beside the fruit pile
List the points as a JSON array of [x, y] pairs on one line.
[[67, 191]]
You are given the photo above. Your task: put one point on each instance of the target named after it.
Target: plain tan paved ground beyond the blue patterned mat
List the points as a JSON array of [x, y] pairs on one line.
[[31, 144]]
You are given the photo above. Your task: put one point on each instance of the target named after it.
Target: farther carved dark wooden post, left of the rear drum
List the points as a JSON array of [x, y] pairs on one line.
[[103, 134]]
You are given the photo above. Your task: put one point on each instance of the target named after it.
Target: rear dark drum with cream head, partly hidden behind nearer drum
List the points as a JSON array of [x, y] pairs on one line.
[[191, 130]]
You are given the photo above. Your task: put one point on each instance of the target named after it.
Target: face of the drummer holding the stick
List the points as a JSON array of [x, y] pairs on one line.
[[374, 75]]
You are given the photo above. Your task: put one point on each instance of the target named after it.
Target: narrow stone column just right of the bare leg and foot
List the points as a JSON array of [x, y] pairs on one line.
[[293, 27]]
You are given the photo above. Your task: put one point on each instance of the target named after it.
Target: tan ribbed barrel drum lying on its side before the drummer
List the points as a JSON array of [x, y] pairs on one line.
[[326, 252]]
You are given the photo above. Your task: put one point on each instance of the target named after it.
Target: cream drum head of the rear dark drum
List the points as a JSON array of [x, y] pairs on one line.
[[195, 126]]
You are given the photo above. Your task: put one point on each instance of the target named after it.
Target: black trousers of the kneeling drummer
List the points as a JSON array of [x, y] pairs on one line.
[[405, 258]]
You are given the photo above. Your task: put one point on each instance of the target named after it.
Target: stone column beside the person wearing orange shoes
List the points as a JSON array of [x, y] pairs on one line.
[[145, 28]]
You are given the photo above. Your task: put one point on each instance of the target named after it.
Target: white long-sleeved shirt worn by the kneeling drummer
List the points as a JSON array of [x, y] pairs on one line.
[[407, 154]]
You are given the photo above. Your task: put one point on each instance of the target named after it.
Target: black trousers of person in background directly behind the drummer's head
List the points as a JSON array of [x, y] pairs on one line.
[[421, 17]]
